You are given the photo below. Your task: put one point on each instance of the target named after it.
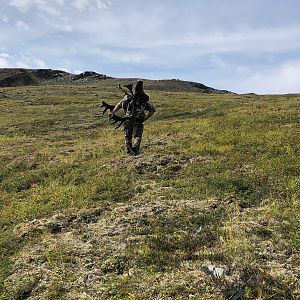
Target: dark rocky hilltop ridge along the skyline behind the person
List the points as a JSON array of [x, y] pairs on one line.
[[28, 77]]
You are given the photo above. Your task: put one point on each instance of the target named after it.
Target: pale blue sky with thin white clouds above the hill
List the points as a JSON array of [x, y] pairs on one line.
[[239, 45]]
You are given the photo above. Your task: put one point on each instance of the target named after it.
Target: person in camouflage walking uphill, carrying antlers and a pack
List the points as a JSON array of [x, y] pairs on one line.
[[134, 106]]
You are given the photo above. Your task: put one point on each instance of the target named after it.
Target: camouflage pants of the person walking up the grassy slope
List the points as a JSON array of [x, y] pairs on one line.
[[133, 128]]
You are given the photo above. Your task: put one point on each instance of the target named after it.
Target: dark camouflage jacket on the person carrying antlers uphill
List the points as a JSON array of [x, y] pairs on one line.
[[137, 106]]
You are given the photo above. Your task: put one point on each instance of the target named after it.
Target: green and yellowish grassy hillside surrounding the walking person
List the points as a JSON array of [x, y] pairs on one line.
[[217, 182]]
